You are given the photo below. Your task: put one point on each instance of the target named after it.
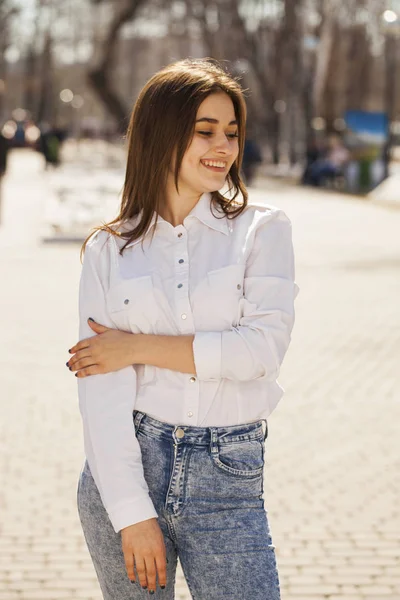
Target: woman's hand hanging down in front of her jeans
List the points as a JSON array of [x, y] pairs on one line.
[[143, 547]]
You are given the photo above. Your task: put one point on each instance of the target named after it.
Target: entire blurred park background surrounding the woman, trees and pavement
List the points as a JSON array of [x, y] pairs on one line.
[[323, 95]]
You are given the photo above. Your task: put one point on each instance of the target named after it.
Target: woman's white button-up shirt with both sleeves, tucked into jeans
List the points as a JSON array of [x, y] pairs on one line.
[[230, 283]]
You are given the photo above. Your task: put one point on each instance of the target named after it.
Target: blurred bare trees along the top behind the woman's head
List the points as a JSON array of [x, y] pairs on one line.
[[78, 64]]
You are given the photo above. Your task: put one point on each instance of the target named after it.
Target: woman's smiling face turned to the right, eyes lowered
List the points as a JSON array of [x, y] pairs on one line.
[[213, 149]]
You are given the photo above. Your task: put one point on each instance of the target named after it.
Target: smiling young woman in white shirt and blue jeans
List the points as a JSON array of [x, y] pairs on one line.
[[186, 310]]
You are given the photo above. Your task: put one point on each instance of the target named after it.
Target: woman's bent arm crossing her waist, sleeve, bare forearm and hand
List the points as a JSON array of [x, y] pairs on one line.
[[254, 349]]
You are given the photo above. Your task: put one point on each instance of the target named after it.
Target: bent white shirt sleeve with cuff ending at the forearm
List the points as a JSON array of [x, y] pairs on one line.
[[256, 347]]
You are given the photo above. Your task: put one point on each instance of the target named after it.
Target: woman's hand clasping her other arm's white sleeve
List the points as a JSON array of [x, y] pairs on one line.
[[109, 350]]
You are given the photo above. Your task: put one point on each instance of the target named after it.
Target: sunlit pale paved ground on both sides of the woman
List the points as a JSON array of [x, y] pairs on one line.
[[332, 472]]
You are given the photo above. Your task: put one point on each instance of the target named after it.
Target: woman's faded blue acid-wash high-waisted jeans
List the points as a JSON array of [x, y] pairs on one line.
[[206, 484]]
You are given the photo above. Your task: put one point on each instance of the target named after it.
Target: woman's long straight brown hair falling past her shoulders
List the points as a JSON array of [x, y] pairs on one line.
[[161, 128]]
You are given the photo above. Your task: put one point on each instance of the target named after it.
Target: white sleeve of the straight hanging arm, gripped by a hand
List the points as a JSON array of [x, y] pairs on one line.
[[106, 403]]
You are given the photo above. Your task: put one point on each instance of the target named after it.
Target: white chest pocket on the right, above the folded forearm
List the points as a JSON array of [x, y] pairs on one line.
[[222, 298]]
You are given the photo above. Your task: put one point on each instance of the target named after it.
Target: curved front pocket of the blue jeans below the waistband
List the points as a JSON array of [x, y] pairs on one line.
[[240, 459]]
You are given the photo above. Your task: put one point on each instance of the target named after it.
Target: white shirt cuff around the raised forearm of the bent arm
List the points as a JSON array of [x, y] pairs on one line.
[[207, 352]]
